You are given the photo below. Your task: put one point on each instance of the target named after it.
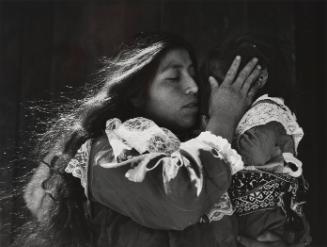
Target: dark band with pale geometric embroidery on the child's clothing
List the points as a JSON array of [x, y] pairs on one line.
[[253, 191]]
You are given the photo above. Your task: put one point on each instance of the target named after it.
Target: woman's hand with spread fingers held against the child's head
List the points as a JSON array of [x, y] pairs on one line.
[[229, 101]]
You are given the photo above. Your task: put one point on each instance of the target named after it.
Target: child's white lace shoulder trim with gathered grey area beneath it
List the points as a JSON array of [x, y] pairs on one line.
[[268, 132]]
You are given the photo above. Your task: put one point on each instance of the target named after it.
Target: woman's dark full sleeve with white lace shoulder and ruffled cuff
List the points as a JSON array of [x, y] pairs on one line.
[[144, 172]]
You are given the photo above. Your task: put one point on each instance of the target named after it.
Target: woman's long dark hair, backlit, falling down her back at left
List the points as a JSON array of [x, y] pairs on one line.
[[55, 198]]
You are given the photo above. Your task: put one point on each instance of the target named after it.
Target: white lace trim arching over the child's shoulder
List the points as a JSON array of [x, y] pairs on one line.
[[267, 109]]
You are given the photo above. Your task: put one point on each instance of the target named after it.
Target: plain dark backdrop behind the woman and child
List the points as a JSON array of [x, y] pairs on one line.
[[48, 48]]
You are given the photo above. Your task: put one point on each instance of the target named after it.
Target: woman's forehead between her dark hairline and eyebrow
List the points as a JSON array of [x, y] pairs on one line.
[[177, 58]]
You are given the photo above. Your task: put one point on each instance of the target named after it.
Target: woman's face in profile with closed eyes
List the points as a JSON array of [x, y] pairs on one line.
[[173, 94]]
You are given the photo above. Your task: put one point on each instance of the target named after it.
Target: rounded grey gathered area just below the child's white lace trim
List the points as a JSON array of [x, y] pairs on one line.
[[257, 146]]
